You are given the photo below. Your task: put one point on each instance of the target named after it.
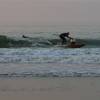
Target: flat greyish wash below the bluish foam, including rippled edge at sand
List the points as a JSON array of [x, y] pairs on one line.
[[51, 71]]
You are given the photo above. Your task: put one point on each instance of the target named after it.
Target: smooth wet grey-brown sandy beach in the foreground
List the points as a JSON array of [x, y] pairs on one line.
[[69, 88]]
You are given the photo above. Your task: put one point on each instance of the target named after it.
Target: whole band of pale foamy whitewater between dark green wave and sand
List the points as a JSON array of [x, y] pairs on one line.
[[49, 62]]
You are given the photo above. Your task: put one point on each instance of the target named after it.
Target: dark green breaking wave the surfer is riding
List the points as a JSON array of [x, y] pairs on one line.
[[6, 42]]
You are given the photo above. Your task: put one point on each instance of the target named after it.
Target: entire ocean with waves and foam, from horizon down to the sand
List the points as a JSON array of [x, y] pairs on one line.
[[46, 57]]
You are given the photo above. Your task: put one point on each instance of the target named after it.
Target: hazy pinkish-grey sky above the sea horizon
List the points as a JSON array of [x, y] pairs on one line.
[[49, 12]]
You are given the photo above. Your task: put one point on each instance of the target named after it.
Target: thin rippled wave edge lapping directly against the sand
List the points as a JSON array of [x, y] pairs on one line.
[[74, 74]]
